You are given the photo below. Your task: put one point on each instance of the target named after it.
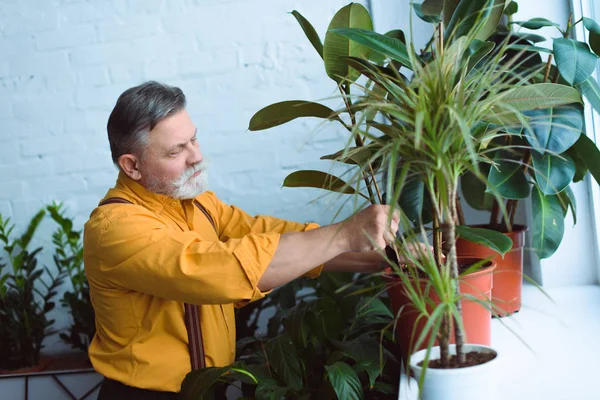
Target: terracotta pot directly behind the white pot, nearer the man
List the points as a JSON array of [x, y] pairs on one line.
[[476, 318]]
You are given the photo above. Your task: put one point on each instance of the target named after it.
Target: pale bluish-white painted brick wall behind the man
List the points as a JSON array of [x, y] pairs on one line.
[[65, 62]]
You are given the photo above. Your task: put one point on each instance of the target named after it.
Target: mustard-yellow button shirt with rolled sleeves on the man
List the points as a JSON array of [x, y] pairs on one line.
[[143, 261]]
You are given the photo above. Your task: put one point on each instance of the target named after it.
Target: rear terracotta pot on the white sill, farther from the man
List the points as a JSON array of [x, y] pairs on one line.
[[508, 276]]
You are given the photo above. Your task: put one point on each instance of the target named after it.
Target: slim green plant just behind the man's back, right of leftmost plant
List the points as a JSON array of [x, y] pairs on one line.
[[68, 257]]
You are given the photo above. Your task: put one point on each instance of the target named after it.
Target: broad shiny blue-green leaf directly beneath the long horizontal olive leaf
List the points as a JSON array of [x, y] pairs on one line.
[[554, 129]]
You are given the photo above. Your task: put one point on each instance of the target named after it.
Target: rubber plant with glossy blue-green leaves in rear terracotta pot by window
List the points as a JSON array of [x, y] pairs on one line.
[[555, 153]]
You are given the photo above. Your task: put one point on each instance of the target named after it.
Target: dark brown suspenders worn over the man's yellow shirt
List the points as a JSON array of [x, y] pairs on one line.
[[192, 311]]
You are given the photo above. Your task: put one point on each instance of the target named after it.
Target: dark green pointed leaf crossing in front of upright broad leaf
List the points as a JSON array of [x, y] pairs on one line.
[[386, 45]]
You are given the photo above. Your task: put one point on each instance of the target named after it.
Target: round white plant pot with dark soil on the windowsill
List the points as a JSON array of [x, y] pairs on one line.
[[471, 383]]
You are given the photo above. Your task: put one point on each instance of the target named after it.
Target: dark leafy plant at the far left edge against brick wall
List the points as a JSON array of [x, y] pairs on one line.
[[25, 298]]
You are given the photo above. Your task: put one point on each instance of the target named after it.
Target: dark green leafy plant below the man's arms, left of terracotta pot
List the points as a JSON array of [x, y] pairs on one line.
[[326, 345]]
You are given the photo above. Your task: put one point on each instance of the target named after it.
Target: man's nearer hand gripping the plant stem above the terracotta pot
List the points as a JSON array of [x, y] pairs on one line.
[[370, 229]]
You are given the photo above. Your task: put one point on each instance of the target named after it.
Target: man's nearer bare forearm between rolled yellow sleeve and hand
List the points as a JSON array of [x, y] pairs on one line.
[[299, 252]]
